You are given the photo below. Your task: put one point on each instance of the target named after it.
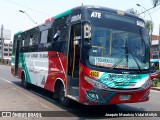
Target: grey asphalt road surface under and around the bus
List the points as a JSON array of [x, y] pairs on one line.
[[13, 97]]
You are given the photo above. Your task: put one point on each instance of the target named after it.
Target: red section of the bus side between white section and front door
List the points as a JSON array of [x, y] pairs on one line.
[[56, 69]]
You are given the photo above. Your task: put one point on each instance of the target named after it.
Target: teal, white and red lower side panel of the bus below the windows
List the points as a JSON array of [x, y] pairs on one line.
[[43, 68]]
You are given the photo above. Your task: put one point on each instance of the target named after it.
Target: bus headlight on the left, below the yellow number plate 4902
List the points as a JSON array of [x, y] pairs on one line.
[[95, 83]]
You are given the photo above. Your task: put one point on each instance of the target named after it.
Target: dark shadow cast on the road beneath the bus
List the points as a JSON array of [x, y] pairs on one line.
[[79, 110]]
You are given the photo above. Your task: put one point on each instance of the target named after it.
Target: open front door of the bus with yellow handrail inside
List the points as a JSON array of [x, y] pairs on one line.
[[74, 59]]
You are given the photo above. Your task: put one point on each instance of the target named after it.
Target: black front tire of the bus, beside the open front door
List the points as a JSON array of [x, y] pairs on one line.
[[61, 96]]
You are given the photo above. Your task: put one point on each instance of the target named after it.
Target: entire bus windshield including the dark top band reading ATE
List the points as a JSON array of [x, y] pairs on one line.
[[119, 42]]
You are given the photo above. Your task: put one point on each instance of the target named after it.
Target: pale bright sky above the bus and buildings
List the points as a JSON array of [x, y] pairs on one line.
[[40, 10]]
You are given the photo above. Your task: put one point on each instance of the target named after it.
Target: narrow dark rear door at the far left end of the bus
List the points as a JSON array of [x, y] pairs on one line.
[[17, 50]]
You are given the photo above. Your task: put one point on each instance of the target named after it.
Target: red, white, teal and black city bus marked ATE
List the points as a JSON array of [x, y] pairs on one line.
[[89, 54]]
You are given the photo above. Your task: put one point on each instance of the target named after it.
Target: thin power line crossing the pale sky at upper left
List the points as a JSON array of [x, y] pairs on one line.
[[27, 7]]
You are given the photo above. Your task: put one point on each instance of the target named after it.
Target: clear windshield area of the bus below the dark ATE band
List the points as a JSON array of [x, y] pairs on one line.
[[119, 49]]
